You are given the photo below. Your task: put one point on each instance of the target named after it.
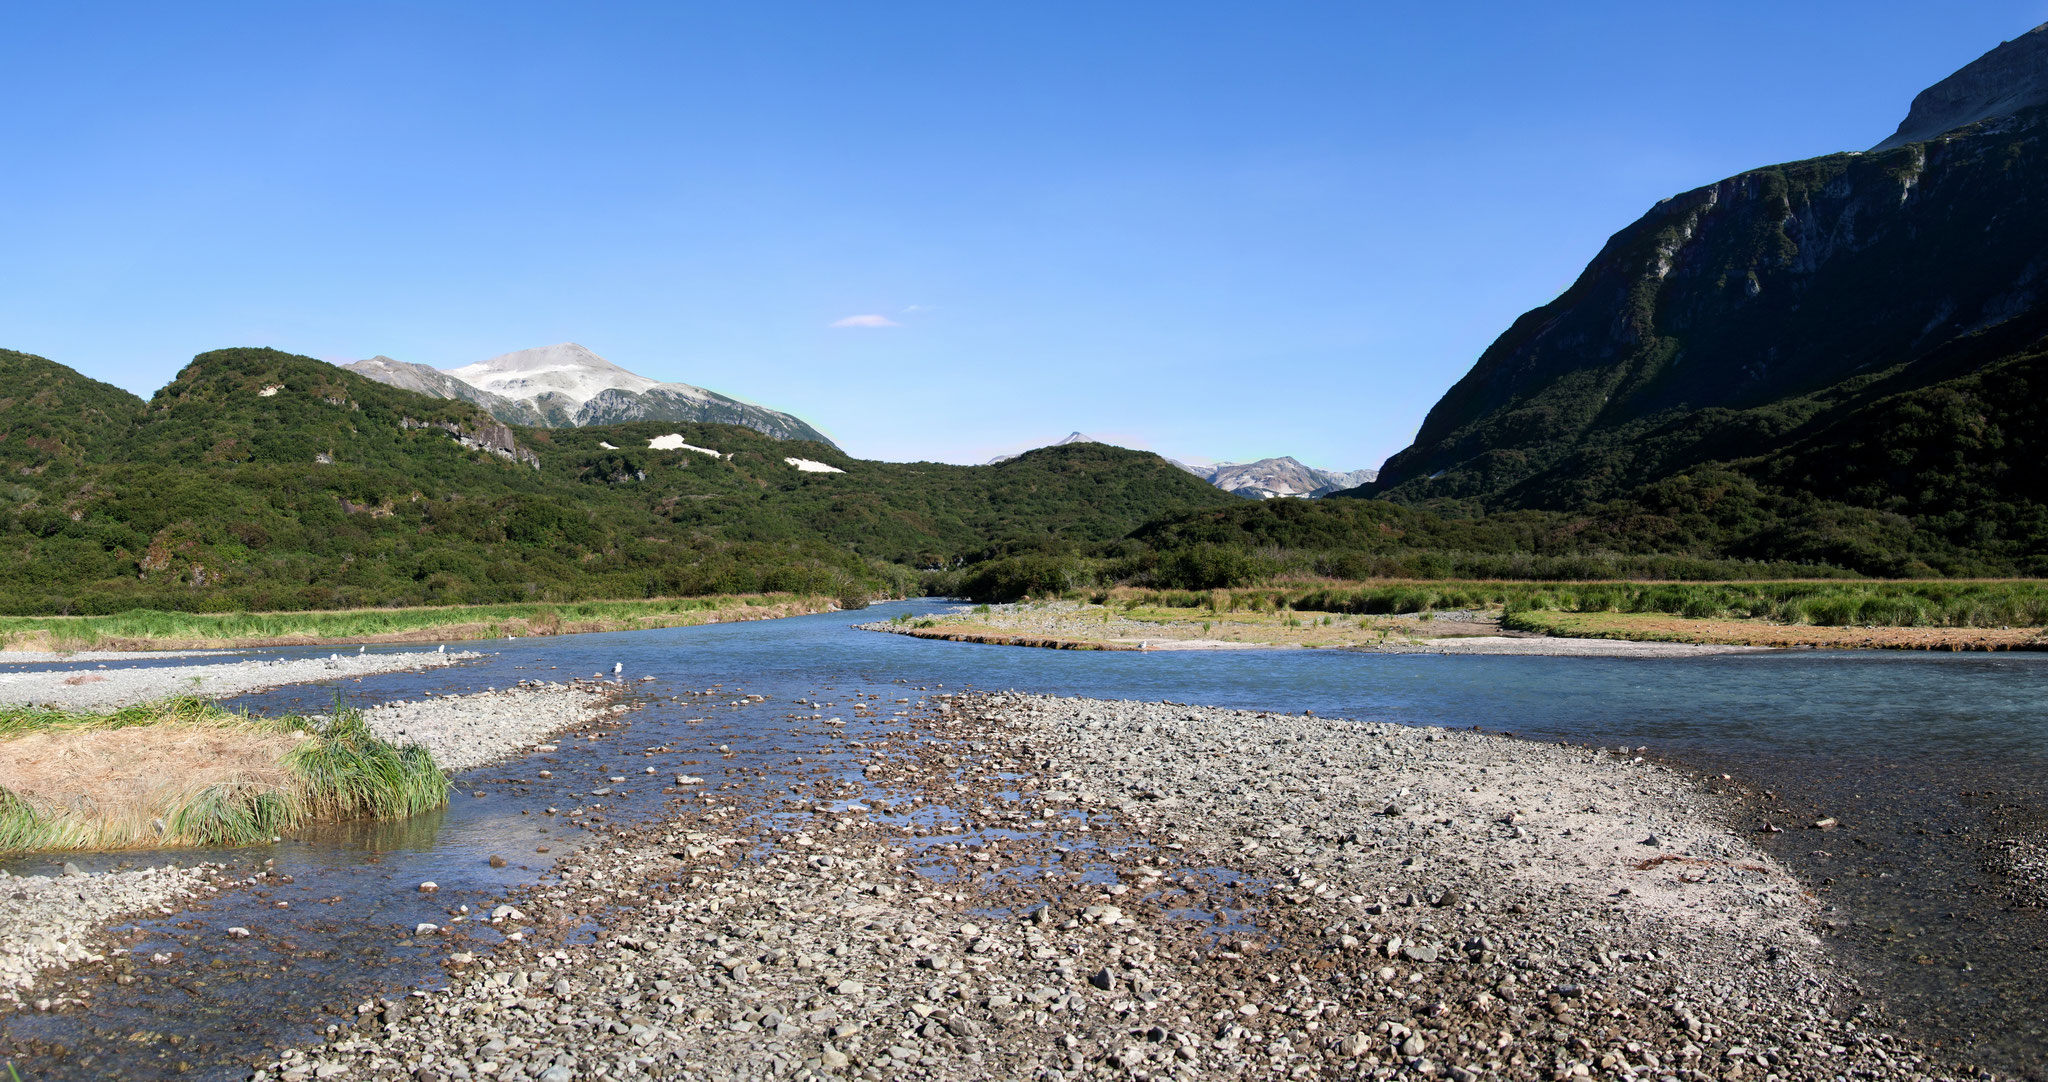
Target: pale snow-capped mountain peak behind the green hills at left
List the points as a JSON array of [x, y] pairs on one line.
[[568, 386]]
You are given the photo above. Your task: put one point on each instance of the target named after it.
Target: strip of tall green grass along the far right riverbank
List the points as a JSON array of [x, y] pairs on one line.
[[1836, 604]]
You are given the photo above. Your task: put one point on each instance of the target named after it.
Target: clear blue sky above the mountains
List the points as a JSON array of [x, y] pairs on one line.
[[1213, 231]]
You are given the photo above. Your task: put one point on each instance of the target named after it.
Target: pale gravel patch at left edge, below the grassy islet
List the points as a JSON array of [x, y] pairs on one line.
[[60, 921]]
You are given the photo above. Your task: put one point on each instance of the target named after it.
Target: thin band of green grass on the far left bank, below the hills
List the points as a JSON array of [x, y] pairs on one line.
[[366, 624]]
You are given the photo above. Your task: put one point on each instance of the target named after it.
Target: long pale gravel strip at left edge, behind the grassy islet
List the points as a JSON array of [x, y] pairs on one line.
[[122, 688]]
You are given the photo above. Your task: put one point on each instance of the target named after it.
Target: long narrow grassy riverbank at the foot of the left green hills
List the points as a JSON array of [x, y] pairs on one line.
[[155, 630]]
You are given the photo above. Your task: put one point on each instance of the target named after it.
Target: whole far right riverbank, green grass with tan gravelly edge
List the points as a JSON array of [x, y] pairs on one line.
[[1990, 616]]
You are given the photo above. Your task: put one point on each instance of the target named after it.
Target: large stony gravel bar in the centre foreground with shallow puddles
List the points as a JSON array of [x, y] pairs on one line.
[[1060, 888]]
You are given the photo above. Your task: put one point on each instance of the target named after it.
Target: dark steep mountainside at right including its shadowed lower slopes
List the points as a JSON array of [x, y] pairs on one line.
[[1863, 331]]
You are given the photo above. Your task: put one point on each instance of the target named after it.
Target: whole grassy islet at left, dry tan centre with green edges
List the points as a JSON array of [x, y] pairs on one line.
[[185, 772]]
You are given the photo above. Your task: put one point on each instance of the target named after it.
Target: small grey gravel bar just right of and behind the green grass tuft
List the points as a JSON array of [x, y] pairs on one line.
[[474, 731]]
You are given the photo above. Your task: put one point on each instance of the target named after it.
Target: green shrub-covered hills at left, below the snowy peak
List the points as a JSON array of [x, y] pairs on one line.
[[267, 481]]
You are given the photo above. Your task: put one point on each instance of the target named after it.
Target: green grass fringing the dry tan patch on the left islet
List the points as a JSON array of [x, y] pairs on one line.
[[337, 772]]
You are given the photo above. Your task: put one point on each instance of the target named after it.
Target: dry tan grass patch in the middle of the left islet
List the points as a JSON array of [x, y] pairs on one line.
[[116, 786]]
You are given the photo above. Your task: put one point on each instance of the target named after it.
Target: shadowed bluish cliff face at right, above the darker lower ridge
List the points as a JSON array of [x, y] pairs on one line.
[[1738, 319]]
